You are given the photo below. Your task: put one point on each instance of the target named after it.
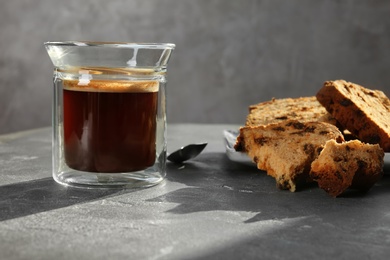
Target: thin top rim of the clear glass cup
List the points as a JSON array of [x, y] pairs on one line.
[[125, 45]]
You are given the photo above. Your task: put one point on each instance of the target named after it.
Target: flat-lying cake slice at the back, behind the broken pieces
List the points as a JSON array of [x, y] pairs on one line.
[[303, 109]]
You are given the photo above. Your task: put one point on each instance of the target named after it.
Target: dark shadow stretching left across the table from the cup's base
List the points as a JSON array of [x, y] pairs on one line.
[[25, 198]]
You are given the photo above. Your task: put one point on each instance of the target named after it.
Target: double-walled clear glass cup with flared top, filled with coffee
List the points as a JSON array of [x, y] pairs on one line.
[[109, 113]]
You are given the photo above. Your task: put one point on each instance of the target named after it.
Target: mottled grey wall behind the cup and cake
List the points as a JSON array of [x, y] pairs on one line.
[[229, 54]]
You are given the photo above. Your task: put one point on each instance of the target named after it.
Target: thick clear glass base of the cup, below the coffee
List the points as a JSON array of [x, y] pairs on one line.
[[80, 179]]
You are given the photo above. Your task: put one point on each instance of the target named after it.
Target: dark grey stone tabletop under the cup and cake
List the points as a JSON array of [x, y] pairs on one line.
[[208, 208]]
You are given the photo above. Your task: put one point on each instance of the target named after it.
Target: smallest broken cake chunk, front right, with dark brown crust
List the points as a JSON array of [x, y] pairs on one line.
[[351, 164]]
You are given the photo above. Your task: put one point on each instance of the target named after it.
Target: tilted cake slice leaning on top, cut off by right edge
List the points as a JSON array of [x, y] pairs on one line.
[[364, 112]]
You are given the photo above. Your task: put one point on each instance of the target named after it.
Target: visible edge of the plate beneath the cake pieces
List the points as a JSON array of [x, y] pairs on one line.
[[230, 139]]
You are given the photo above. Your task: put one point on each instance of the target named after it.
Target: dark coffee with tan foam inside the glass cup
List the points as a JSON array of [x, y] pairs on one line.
[[110, 126]]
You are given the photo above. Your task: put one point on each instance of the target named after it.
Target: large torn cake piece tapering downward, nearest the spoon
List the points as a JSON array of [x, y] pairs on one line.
[[286, 150]]
